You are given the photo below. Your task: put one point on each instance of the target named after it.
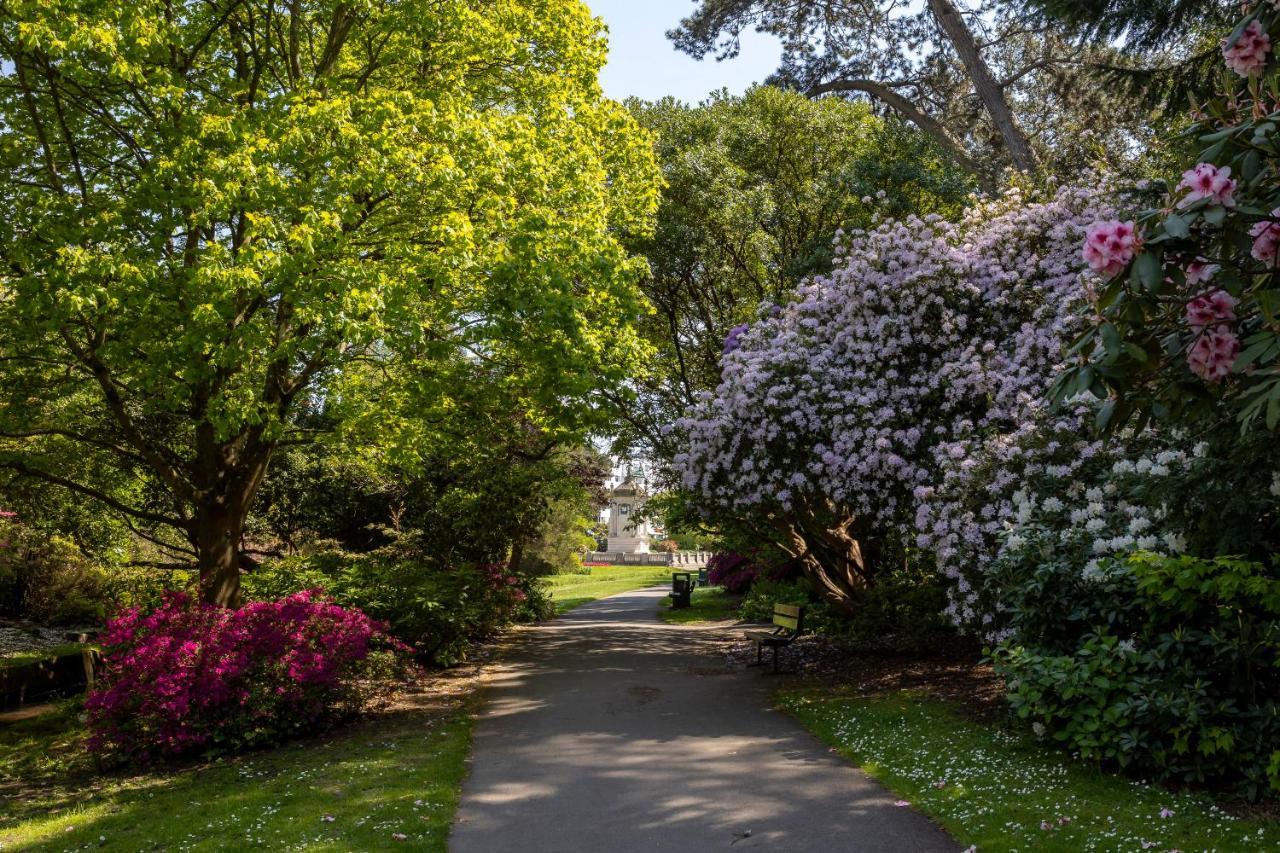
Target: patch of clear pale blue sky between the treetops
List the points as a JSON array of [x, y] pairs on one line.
[[646, 65]]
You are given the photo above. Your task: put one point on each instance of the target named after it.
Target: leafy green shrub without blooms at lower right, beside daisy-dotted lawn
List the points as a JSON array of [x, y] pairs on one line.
[[1167, 667]]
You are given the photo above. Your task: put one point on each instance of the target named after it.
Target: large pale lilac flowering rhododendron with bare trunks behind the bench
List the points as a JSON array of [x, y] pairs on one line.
[[838, 413]]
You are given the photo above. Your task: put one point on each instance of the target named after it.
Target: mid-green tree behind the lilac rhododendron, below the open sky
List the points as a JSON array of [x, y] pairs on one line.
[[756, 189]]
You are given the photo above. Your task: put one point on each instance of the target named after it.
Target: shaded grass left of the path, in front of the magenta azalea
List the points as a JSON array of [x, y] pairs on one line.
[[356, 790]]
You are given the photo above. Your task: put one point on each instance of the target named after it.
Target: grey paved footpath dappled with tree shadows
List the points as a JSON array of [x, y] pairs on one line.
[[611, 732]]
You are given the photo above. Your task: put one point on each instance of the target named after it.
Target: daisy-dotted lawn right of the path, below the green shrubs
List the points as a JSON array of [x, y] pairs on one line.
[[1002, 791]]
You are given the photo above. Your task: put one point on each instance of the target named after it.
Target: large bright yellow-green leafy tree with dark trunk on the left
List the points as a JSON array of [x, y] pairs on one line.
[[227, 217]]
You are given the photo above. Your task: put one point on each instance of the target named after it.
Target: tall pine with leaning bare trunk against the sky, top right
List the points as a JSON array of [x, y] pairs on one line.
[[990, 84]]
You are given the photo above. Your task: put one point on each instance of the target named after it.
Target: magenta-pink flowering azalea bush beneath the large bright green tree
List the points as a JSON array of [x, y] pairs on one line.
[[193, 678]]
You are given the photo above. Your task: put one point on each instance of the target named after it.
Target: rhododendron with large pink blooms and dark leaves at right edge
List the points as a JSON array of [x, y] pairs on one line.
[[1190, 317]]
